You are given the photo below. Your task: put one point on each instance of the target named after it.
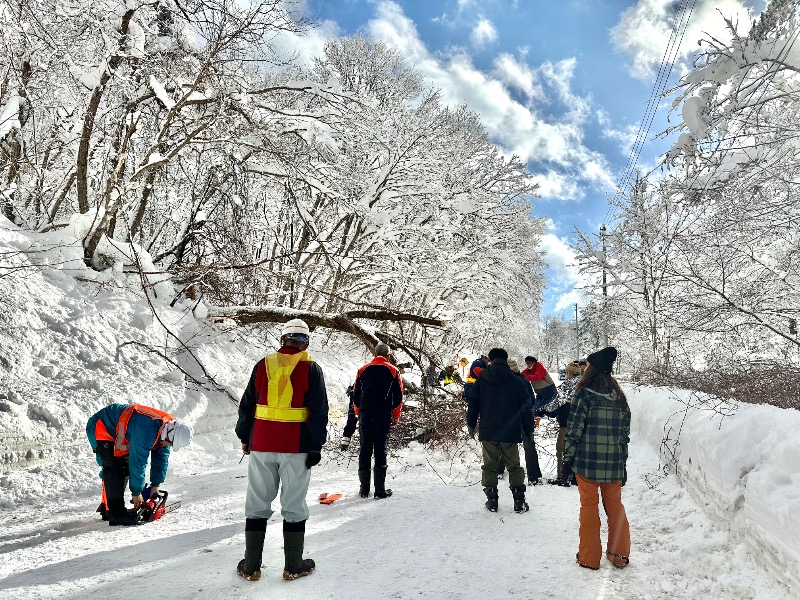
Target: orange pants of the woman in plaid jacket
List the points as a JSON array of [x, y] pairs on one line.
[[619, 534]]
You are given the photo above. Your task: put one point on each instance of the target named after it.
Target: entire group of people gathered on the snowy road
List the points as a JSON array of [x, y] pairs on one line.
[[282, 426]]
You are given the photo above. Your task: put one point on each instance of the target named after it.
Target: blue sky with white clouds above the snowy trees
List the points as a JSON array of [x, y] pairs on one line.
[[562, 83]]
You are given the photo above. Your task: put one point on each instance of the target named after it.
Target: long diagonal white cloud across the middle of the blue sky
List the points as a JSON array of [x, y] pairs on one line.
[[519, 129]]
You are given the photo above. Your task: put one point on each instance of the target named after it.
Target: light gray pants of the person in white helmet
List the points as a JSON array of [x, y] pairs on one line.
[[265, 472]]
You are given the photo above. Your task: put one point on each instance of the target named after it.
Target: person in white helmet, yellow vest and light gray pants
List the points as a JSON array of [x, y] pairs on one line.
[[283, 420]]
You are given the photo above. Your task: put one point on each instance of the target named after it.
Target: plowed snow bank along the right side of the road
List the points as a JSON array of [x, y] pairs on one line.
[[745, 467]]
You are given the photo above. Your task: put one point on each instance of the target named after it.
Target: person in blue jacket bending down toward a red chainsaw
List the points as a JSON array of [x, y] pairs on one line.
[[122, 437]]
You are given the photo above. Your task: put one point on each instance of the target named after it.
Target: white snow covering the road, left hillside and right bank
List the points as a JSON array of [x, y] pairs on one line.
[[725, 527]]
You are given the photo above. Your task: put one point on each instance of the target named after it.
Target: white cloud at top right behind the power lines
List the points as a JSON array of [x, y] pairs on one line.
[[644, 30]]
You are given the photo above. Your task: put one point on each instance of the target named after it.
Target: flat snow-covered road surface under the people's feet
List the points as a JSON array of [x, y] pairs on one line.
[[432, 539]]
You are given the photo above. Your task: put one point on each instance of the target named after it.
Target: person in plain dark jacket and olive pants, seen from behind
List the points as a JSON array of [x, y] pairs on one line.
[[502, 403]]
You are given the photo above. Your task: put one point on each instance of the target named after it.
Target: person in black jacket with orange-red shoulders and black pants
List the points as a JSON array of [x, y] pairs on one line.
[[378, 400]]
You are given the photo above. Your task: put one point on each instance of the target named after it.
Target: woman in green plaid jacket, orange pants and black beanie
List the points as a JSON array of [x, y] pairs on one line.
[[596, 450]]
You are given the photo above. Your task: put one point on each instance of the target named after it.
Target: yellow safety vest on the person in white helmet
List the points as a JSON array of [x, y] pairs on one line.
[[278, 402]]
